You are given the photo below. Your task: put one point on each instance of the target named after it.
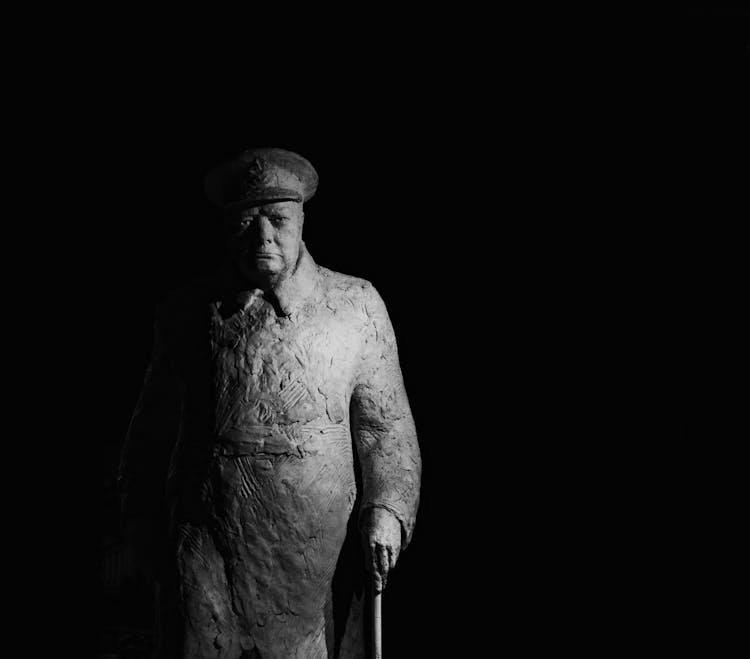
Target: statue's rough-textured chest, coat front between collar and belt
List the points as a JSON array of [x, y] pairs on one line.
[[272, 369]]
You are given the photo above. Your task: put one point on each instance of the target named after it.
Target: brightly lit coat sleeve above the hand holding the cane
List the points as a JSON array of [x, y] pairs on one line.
[[382, 423]]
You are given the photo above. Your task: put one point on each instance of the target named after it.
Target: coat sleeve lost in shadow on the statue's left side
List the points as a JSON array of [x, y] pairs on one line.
[[151, 435]]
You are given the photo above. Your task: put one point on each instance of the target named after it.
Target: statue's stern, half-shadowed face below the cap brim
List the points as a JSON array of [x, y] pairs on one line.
[[265, 241]]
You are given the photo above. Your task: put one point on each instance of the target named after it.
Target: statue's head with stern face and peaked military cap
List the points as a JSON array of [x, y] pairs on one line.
[[262, 192]]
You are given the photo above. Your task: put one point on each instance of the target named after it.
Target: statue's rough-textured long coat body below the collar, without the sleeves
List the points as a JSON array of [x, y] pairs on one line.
[[265, 468]]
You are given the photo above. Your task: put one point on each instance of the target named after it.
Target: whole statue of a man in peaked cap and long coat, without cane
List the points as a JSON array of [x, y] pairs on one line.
[[271, 384]]
